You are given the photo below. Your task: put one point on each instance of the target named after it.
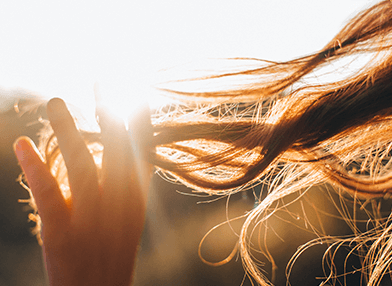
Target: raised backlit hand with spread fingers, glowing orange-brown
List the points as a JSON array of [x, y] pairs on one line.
[[92, 238]]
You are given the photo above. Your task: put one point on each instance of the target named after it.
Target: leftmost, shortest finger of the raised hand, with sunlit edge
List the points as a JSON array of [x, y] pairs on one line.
[[47, 195]]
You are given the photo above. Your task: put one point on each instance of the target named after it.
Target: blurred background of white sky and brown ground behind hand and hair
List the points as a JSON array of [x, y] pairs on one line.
[[52, 48]]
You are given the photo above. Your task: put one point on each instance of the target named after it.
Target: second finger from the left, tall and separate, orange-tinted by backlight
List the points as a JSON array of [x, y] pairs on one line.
[[82, 171]]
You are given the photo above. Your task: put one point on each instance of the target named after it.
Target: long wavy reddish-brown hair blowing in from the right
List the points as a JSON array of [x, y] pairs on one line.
[[286, 131]]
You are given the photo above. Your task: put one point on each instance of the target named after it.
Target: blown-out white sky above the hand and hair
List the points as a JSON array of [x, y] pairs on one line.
[[61, 48]]
